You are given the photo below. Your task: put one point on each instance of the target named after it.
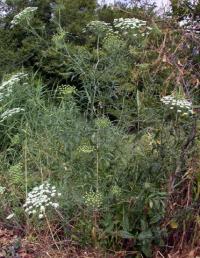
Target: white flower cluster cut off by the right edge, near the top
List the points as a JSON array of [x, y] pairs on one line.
[[190, 25]]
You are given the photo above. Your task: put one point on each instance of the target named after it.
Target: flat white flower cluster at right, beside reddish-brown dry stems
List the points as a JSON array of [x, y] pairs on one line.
[[182, 105]]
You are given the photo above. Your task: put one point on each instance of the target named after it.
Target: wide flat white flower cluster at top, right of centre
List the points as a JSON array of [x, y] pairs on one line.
[[132, 24]]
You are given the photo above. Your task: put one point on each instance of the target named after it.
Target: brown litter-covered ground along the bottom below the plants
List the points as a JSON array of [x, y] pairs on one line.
[[12, 245]]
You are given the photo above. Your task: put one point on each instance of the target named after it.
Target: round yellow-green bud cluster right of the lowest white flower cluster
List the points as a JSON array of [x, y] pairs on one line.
[[93, 200]]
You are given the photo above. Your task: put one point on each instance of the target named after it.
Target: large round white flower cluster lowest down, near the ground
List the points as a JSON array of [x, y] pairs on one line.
[[40, 198]]
